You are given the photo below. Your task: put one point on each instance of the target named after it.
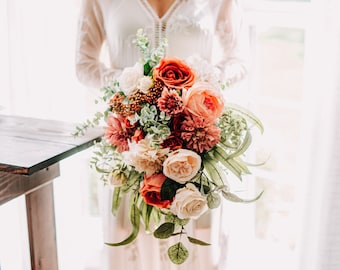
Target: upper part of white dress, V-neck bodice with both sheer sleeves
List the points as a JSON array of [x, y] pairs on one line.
[[190, 26]]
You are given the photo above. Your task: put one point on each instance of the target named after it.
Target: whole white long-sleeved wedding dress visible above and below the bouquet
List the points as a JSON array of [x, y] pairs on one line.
[[208, 28]]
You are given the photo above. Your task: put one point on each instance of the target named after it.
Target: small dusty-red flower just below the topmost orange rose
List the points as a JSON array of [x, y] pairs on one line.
[[170, 102]]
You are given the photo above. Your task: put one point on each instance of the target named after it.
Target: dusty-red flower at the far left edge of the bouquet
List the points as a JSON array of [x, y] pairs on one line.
[[116, 133]]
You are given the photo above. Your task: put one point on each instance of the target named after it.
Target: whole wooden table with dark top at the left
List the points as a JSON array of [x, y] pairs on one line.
[[30, 152]]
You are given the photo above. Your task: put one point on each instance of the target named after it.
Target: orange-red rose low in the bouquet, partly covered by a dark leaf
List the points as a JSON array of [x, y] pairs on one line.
[[151, 191]]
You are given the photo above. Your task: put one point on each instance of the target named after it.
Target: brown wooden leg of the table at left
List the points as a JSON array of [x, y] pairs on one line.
[[41, 228]]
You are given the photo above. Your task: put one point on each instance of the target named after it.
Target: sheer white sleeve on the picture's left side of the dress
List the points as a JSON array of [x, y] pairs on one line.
[[91, 36]]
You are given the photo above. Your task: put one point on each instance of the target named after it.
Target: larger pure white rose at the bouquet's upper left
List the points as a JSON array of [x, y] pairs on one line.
[[129, 78]]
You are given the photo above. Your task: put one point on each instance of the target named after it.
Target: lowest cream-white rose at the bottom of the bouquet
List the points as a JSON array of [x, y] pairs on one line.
[[188, 202]]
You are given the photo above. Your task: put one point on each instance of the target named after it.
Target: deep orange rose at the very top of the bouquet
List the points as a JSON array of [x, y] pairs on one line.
[[174, 73]]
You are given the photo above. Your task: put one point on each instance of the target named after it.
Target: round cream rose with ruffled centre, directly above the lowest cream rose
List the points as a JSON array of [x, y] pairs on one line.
[[182, 165]]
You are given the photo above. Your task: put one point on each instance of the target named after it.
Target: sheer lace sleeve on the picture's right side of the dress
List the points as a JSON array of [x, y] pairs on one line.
[[232, 41]]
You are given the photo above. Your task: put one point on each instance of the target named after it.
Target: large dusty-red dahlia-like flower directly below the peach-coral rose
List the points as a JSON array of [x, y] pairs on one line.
[[199, 135]]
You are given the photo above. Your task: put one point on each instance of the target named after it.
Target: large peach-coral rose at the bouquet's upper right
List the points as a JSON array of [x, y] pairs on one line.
[[203, 100]]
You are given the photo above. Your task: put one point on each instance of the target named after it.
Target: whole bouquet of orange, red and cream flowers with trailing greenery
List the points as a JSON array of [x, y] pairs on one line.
[[170, 143]]
